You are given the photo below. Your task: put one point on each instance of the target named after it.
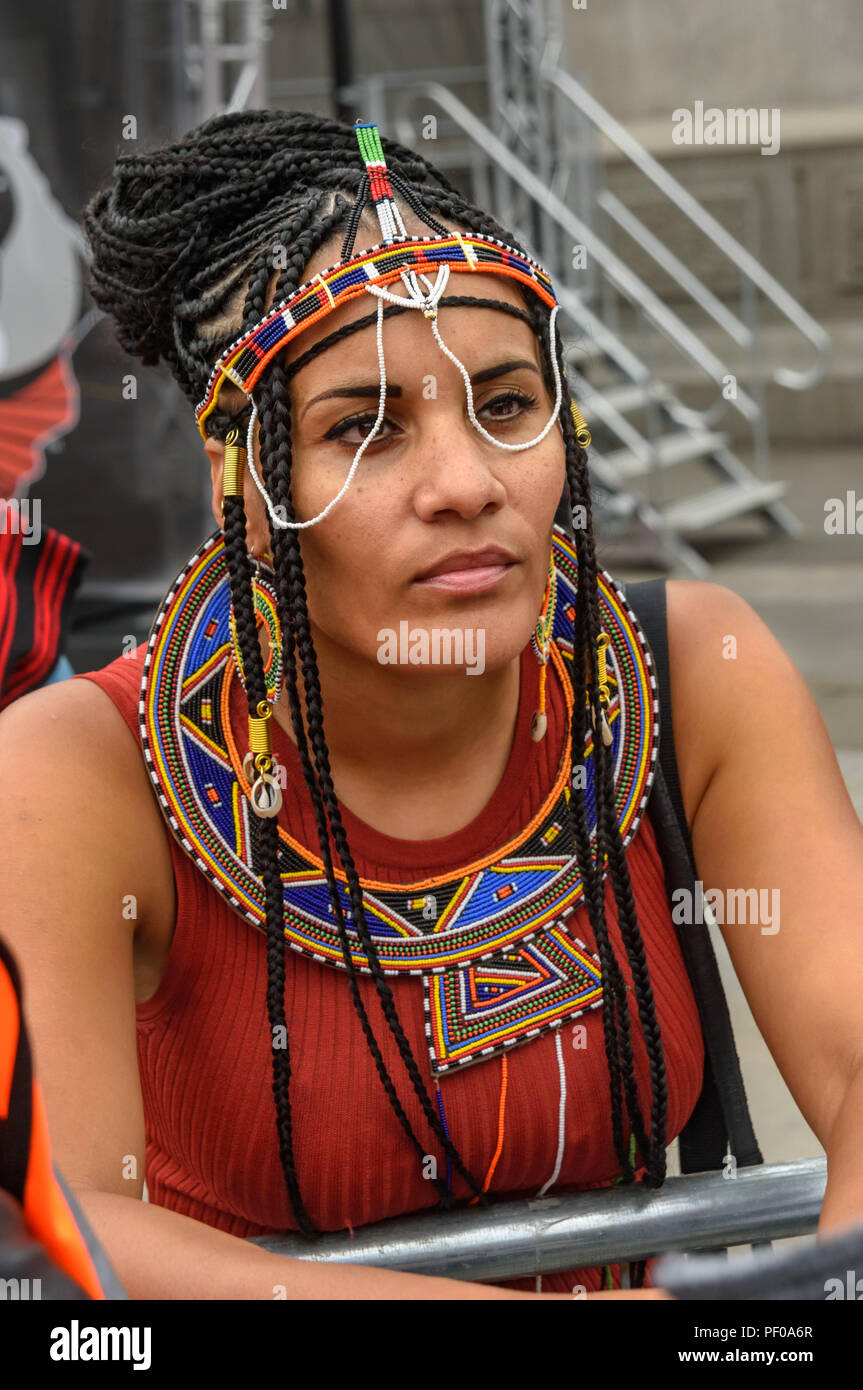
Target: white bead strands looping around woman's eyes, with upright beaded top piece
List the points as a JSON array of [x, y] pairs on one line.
[[393, 227]]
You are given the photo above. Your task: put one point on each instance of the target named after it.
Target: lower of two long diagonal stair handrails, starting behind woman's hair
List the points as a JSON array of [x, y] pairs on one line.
[[616, 272]]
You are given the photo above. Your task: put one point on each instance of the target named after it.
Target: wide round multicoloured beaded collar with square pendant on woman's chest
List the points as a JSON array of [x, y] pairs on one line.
[[495, 957]]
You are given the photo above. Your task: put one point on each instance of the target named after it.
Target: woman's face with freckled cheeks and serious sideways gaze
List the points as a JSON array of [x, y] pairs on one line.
[[430, 494]]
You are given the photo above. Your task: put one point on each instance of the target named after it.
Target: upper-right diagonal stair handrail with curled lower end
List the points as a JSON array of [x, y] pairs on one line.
[[590, 108]]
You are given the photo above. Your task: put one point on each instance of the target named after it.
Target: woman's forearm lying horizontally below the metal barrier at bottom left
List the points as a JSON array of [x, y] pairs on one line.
[[161, 1254]]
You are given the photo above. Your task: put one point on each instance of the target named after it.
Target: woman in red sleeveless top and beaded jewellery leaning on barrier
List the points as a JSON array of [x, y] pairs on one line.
[[425, 1042]]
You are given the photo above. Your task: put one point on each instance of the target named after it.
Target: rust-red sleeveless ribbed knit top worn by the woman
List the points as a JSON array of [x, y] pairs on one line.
[[205, 1053]]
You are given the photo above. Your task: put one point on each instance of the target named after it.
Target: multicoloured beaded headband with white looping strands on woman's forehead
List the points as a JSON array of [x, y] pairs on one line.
[[398, 256]]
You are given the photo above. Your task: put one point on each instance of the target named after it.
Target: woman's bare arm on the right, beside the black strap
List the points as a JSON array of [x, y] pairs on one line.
[[771, 812]]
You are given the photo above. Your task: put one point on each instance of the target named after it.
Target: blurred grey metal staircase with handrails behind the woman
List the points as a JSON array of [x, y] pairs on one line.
[[537, 159]]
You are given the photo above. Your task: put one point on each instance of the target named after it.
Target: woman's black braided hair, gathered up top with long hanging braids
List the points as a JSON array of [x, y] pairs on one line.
[[183, 244]]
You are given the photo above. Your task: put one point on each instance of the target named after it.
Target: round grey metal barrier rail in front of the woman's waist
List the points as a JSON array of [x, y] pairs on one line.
[[579, 1231]]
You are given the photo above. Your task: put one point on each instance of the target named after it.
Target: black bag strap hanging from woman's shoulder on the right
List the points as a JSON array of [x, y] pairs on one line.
[[721, 1120]]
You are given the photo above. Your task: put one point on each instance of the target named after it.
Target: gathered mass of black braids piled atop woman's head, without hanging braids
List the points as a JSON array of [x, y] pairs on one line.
[[176, 229]]
